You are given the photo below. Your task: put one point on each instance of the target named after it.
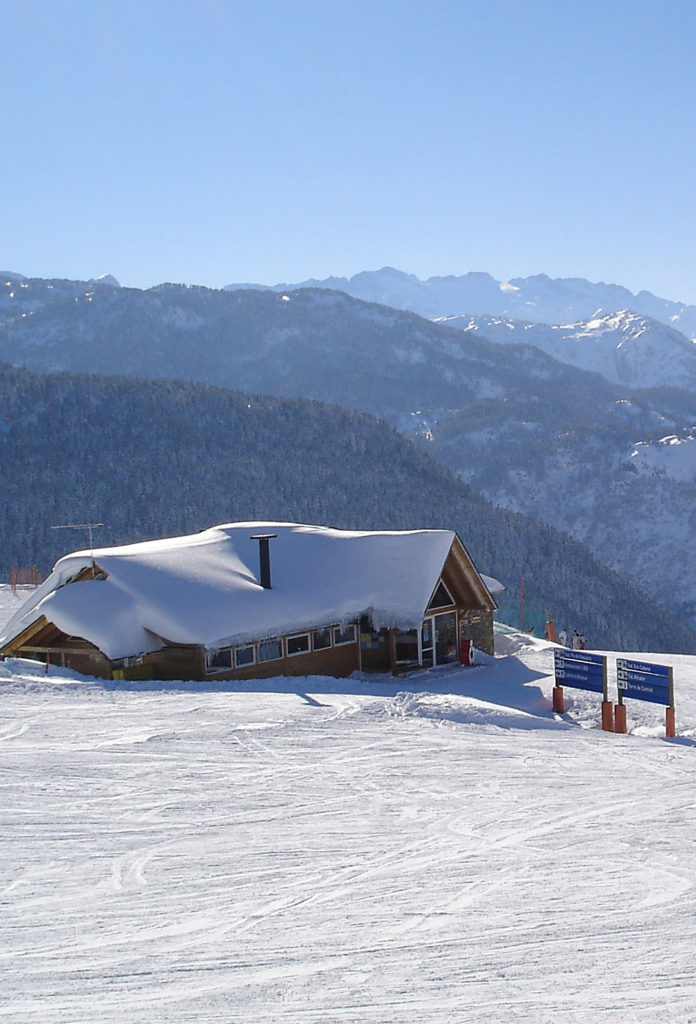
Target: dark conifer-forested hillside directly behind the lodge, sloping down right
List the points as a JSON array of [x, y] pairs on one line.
[[151, 459]]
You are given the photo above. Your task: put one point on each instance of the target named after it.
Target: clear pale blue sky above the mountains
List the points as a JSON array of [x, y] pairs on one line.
[[274, 141]]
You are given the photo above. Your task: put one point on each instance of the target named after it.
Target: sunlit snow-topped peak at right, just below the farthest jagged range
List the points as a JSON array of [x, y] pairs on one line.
[[625, 348]]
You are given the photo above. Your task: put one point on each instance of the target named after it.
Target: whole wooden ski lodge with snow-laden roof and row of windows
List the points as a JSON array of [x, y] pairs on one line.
[[255, 600]]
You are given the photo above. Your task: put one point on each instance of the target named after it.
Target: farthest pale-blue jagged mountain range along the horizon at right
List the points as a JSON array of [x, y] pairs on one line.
[[538, 300]]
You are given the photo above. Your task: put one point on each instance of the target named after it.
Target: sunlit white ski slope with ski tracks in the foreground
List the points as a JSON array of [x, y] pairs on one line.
[[437, 849]]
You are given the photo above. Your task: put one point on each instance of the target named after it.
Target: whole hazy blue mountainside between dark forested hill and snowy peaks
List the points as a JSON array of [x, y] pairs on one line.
[[534, 435]]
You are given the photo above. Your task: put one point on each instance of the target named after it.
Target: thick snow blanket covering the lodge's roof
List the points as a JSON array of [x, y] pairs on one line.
[[204, 589]]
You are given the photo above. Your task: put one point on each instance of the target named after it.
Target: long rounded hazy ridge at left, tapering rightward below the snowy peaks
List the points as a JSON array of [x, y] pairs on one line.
[[311, 344]]
